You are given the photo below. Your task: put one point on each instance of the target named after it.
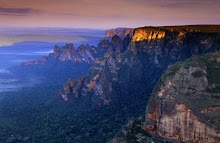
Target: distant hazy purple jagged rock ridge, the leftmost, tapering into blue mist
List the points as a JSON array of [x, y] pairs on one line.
[[68, 53]]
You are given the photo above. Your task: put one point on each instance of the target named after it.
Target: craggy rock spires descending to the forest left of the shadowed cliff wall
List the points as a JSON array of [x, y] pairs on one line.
[[100, 69]]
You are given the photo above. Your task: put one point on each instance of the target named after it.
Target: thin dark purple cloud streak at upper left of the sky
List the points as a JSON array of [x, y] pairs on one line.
[[17, 11]]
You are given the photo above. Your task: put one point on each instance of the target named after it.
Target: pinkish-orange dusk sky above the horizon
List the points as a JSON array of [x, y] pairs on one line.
[[105, 14]]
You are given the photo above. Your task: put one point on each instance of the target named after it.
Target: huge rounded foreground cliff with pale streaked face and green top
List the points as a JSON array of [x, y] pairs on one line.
[[185, 104]]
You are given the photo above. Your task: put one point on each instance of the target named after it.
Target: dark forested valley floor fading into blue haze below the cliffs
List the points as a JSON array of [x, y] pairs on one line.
[[37, 115]]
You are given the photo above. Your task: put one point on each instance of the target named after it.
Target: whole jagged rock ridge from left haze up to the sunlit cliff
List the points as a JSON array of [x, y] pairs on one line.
[[84, 53]]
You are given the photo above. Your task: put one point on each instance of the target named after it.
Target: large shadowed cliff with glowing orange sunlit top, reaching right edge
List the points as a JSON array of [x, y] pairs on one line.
[[135, 71]]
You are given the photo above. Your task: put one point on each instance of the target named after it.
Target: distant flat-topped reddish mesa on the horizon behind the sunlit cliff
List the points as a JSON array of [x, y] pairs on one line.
[[121, 32]]
